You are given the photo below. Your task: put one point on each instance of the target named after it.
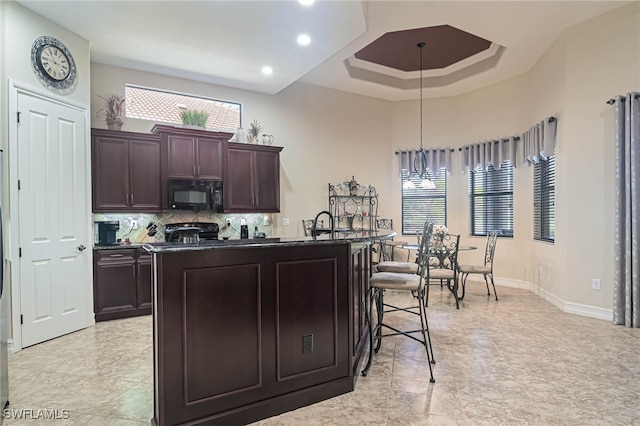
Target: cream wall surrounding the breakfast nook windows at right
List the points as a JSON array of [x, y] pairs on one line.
[[586, 66]]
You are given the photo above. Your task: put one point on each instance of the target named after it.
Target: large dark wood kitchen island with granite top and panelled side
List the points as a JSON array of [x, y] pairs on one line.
[[245, 330]]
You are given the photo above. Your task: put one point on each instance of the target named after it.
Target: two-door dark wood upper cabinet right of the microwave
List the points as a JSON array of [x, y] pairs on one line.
[[252, 181]]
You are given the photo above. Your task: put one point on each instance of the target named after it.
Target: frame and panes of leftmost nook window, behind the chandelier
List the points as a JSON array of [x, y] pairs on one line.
[[426, 196]]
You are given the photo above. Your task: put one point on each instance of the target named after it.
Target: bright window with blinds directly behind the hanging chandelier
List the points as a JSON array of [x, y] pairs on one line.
[[420, 205]]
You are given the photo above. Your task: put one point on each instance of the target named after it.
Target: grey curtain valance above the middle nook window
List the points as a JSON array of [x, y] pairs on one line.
[[493, 152]]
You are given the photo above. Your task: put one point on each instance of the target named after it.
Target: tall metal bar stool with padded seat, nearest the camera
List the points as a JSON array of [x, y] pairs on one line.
[[412, 283]]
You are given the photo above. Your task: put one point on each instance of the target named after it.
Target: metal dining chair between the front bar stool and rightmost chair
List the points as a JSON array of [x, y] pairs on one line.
[[443, 264]]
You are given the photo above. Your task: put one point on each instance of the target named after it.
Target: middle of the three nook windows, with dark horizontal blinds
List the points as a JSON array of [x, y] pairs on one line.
[[491, 200]]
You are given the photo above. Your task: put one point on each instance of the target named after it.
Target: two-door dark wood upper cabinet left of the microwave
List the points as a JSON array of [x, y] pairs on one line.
[[126, 171]]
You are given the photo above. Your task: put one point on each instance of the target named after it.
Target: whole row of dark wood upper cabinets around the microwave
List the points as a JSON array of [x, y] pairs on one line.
[[130, 170]]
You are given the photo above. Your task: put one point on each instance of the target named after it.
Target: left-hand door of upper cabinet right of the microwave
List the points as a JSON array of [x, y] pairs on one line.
[[239, 185]]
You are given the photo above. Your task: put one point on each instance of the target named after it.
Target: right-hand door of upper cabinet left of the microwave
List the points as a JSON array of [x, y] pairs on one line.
[[144, 169]]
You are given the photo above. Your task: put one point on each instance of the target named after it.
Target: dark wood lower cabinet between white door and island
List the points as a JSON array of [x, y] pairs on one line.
[[121, 283]]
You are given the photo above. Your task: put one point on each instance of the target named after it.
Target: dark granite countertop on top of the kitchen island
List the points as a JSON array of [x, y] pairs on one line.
[[338, 237]]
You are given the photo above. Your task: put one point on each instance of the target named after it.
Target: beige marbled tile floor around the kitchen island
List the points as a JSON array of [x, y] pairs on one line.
[[518, 361]]
